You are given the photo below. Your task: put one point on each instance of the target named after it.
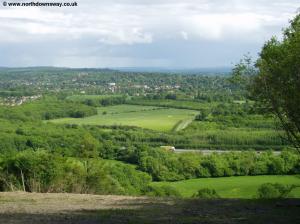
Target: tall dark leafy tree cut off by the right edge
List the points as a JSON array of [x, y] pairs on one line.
[[277, 85]]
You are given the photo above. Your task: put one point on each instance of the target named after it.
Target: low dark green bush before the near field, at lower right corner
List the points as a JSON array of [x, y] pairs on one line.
[[270, 190]]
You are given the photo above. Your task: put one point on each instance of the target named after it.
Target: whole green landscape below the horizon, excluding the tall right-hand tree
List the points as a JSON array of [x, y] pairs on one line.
[[109, 143]]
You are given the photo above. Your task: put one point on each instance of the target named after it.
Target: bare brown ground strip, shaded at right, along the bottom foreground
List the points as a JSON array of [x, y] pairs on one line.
[[31, 208]]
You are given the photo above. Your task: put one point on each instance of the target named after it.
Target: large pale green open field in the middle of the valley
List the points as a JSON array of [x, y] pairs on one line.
[[155, 118]]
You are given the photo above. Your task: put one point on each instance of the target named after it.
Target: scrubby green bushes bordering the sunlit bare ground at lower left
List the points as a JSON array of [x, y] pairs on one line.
[[41, 171]]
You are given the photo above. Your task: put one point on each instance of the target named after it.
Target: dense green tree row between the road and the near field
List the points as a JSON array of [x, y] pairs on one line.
[[166, 166]]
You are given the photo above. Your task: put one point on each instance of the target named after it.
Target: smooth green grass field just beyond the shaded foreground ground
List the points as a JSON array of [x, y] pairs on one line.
[[232, 187]]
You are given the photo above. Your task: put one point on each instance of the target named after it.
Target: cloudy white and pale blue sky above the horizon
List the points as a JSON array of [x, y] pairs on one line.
[[140, 33]]
